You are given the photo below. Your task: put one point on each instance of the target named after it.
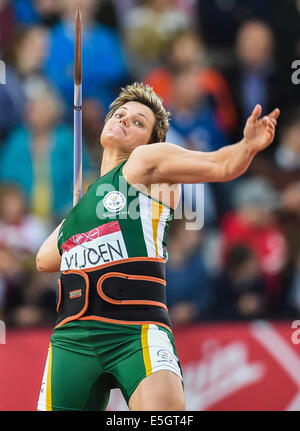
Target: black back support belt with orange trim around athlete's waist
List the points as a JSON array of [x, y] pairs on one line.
[[131, 291]]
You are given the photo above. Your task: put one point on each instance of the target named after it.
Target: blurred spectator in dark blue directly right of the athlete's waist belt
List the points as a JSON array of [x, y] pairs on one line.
[[188, 280]]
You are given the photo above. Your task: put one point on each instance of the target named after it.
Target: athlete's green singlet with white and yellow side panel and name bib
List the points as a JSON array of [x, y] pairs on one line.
[[113, 221]]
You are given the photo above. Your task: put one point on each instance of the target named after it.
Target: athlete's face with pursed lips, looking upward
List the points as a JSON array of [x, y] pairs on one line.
[[130, 126]]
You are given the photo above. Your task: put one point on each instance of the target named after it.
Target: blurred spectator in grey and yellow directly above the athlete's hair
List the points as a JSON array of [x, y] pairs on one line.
[[147, 30]]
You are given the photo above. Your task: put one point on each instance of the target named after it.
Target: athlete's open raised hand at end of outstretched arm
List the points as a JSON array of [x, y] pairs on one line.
[[259, 133]]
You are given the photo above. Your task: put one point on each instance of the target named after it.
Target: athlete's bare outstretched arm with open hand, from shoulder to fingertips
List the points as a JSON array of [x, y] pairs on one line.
[[172, 164]]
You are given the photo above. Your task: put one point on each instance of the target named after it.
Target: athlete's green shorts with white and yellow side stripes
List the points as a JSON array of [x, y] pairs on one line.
[[87, 359]]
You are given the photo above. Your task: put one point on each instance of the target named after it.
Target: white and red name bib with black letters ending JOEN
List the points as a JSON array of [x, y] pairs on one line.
[[94, 248]]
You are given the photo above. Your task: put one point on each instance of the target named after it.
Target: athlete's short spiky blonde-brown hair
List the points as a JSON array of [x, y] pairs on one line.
[[143, 93]]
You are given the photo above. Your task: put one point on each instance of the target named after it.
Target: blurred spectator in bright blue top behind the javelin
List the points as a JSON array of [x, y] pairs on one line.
[[103, 63]]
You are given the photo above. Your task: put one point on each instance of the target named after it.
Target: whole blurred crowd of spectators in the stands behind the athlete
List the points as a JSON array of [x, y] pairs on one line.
[[211, 62]]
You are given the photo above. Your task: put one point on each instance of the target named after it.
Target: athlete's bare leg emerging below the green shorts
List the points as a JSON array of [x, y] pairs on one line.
[[159, 391]]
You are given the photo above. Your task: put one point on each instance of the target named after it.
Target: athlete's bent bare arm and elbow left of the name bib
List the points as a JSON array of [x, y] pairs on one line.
[[48, 258]]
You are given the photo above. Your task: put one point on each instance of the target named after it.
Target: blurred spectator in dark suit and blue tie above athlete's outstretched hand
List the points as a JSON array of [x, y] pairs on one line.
[[253, 76]]
